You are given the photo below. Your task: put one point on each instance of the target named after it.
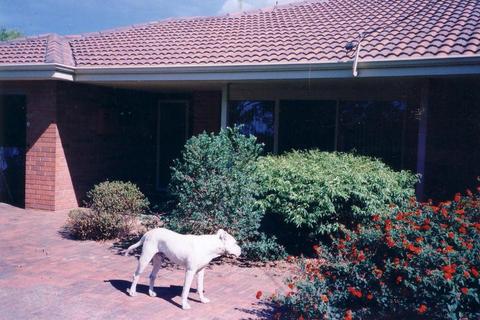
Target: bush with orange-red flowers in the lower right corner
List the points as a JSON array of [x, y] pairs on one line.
[[423, 262]]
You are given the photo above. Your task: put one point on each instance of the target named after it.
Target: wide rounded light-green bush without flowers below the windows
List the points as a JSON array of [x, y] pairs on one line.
[[315, 193]]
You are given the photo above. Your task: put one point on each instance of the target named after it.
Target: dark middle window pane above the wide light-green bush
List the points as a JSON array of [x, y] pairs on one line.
[[307, 125]]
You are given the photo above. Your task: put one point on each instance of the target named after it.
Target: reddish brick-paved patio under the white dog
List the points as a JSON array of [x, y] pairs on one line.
[[44, 275]]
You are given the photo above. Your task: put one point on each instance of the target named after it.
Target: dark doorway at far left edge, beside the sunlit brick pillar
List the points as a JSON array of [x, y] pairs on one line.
[[12, 149]]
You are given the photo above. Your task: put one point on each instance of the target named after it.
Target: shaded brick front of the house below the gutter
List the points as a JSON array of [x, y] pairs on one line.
[[78, 135]]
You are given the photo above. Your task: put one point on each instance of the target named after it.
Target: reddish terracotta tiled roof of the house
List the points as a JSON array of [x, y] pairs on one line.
[[313, 31]]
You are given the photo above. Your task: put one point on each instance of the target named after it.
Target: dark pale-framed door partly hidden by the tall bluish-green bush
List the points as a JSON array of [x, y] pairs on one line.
[[172, 132]]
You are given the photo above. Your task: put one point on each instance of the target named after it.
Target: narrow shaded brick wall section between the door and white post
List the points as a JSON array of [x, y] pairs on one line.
[[205, 112]]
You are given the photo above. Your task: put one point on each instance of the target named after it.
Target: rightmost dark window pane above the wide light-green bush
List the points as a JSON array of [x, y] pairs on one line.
[[373, 128]]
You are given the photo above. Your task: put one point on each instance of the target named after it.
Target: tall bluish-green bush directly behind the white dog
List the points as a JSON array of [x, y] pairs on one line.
[[215, 186]]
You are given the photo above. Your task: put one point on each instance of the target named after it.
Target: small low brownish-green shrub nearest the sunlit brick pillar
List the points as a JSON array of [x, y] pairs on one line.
[[112, 211]]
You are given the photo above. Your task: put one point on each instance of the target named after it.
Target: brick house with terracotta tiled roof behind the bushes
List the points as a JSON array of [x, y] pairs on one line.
[[398, 80]]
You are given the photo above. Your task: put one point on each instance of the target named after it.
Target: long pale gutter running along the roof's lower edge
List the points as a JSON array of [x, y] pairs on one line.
[[445, 66]]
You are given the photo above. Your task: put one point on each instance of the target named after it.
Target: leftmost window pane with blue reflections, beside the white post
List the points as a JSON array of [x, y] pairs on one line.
[[256, 117]]
